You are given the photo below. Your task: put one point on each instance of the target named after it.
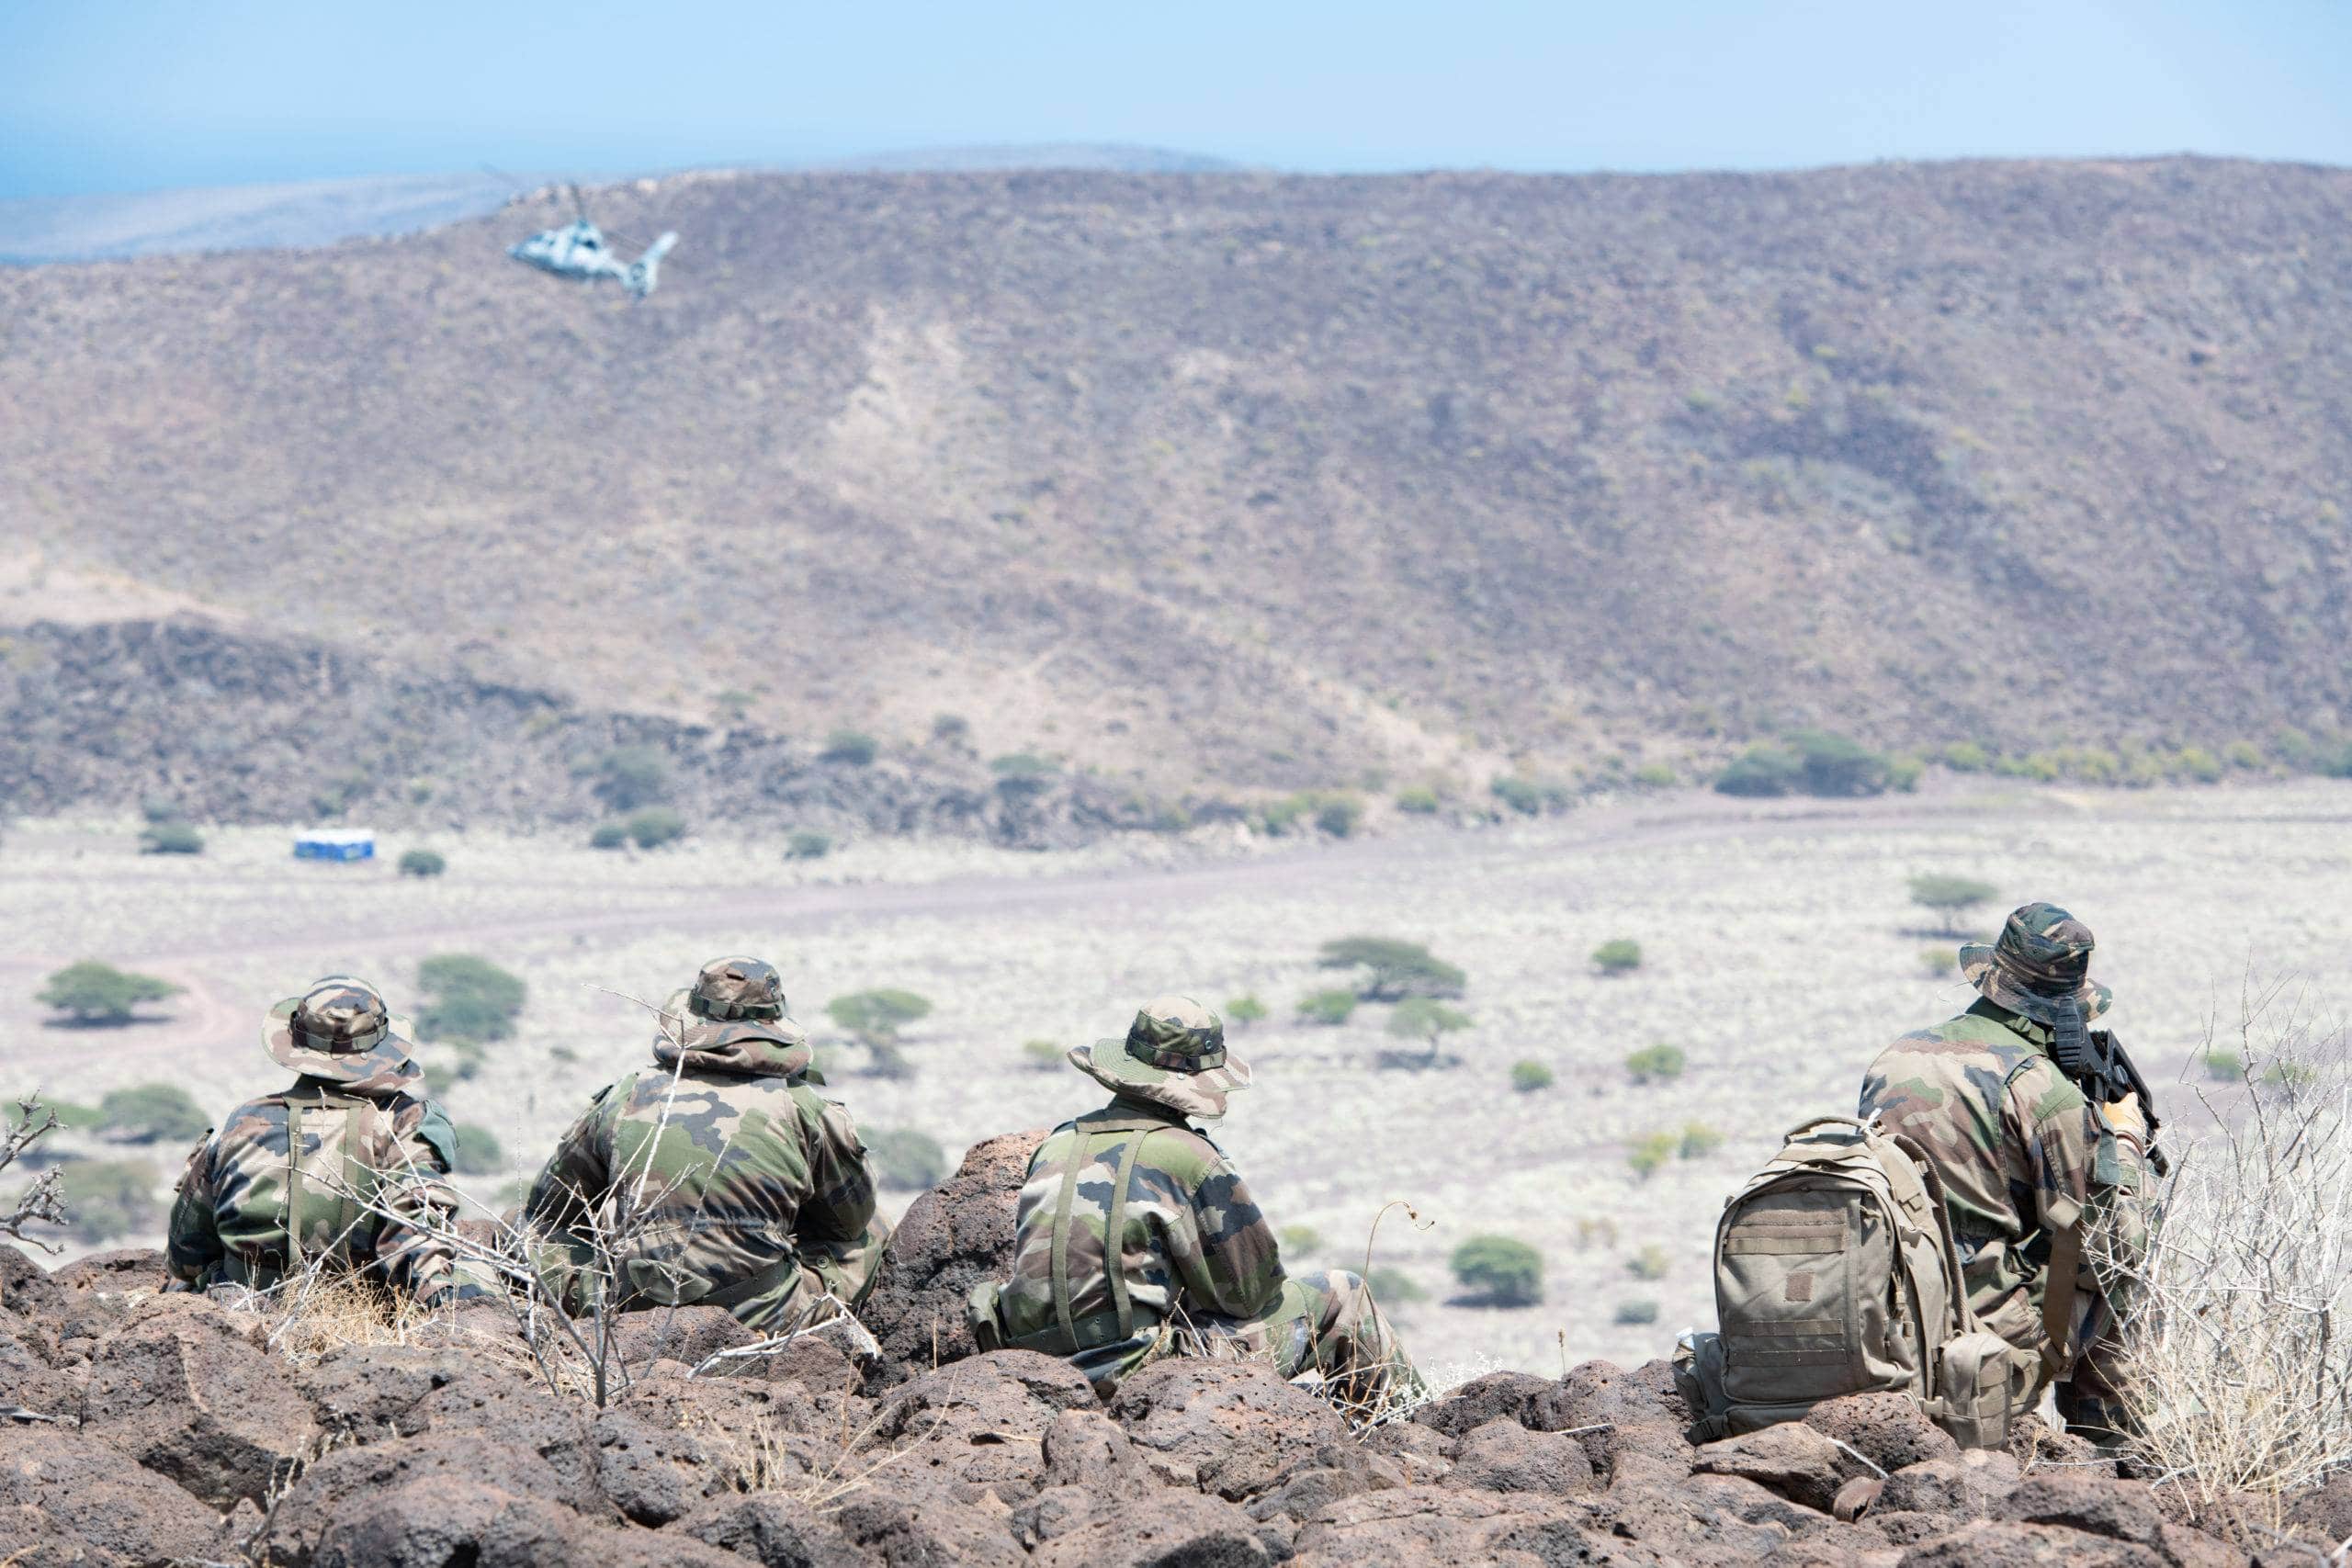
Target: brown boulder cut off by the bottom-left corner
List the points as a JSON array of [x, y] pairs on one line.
[[62, 1485]]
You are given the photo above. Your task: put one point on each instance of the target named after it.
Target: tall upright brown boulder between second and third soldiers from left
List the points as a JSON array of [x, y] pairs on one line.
[[954, 1238]]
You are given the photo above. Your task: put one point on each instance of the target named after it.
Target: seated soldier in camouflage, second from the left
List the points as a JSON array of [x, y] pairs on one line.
[[721, 1172]]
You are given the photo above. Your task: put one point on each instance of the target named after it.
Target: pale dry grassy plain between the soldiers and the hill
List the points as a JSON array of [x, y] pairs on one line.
[[1779, 953]]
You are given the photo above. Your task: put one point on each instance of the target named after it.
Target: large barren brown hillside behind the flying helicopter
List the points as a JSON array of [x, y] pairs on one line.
[[1259, 481]]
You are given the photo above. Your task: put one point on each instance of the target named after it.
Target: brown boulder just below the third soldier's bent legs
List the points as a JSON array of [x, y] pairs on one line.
[[1229, 1428]]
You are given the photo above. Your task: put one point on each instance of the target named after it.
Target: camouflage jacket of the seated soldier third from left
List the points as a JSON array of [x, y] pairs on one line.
[[1191, 1242]]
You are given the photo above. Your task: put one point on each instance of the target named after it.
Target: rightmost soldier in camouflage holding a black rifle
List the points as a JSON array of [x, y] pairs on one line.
[[2029, 1162]]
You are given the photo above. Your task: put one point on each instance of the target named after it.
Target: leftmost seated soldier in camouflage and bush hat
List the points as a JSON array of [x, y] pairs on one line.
[[305, 1174]]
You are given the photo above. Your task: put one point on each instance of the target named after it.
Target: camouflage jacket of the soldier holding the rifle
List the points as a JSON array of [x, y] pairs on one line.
[[2014, 1144]]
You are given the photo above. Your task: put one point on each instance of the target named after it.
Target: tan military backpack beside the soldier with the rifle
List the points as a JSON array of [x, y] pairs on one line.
[[1836, 1275]]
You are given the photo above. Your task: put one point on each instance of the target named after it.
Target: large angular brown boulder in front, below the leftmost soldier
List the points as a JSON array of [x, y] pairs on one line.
[[187, 1391]]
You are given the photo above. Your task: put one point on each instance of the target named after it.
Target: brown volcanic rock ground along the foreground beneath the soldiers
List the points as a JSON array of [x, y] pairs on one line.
[[168, 1428]]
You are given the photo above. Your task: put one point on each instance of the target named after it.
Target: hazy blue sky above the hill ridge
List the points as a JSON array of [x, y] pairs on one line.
[[166, 93]]
